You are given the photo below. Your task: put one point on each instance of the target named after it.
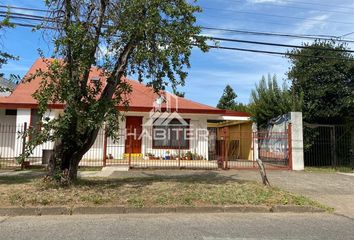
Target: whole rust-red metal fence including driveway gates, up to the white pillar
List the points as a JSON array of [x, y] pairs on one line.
[[136, 148]]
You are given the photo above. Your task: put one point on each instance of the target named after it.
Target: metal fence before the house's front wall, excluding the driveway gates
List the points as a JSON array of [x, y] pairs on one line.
[[108, 152]]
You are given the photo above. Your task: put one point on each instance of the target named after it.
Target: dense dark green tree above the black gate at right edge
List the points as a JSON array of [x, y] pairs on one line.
[[325, 78]]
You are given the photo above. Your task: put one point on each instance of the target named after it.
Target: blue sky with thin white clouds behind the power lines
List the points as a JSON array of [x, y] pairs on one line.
[[212, 71]]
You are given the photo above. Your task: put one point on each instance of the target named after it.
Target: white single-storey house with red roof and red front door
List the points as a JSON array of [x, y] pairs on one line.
[[149, 115]]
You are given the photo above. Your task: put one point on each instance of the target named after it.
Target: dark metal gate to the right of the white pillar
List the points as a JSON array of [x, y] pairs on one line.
[[328, 145]]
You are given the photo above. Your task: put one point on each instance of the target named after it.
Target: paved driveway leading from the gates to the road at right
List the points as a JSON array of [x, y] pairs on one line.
[[332, 189]]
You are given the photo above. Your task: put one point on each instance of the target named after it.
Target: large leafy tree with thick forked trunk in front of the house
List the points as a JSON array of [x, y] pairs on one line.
[[150, 38]]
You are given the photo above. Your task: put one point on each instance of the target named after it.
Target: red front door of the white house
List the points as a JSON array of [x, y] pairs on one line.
[[133, 141]]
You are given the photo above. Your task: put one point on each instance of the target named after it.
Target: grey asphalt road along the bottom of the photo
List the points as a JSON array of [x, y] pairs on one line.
[[225, 226]]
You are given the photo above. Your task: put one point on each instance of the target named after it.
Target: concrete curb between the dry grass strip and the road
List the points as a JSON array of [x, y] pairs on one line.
[[33, 211]]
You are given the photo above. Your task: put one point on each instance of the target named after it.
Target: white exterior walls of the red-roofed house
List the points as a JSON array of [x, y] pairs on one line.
[[13, 146]]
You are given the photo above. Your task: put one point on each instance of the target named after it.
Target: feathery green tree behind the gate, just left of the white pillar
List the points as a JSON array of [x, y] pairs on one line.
[[269, 100]]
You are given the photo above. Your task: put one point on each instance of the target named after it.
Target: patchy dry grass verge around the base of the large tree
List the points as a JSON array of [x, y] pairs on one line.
[[185, 190]]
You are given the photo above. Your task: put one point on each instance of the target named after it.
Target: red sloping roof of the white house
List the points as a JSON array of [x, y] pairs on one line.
[[141, 99]]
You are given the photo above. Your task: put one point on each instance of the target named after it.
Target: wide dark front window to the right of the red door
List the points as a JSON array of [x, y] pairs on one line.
[[174, 135]]
